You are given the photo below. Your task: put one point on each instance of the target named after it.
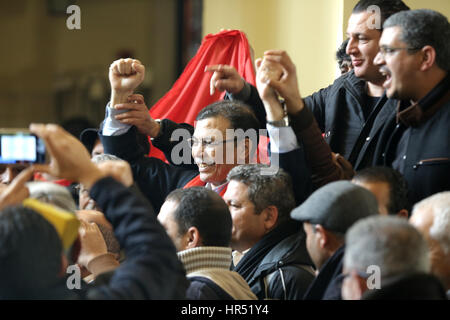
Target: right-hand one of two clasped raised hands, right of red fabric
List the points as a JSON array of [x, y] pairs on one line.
[[287, 85]]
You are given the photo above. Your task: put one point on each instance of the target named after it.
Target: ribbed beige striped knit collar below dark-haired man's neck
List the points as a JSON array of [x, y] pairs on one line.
[[195, 259]]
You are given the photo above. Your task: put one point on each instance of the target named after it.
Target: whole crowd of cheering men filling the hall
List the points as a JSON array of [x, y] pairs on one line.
[[354, 205]]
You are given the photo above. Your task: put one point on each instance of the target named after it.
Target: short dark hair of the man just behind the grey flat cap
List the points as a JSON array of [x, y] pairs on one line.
[[398, 187]]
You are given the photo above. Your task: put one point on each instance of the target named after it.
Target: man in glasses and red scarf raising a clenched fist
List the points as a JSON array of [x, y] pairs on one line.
[[214, 146]]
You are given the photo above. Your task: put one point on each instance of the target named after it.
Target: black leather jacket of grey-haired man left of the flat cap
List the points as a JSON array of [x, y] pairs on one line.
[[278, 266]]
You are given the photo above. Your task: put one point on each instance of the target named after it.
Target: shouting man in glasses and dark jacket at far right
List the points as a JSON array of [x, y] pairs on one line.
[[414, 56]]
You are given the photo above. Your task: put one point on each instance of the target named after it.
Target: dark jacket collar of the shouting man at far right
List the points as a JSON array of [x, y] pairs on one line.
[[419, 112]]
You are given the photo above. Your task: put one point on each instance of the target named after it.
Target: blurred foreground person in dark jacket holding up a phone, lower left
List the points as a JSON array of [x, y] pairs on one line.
[[31, 266]]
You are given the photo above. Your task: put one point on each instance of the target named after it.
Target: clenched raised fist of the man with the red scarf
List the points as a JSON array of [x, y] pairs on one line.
[[125, 75]]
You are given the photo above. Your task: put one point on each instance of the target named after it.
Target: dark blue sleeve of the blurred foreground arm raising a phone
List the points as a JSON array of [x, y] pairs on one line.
[[152, 269]]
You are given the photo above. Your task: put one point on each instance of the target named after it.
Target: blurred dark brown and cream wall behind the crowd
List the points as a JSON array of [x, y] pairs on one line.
[[49, 73]]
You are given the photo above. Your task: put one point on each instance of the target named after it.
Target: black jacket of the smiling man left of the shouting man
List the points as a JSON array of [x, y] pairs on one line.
[[331, 107]]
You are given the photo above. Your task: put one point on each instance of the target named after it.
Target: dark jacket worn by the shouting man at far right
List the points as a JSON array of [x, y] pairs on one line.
[[426, 154]]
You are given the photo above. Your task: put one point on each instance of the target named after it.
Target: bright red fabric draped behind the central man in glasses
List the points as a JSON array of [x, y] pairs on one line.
[[190, 93]]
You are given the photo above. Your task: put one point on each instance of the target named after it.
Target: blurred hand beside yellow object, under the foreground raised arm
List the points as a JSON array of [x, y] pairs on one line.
[[92, 243]]
